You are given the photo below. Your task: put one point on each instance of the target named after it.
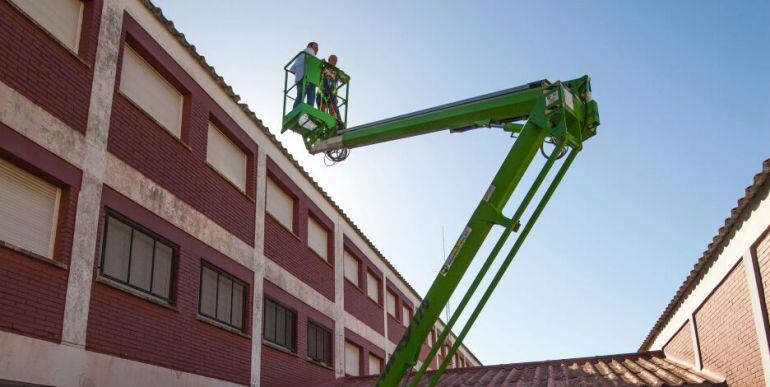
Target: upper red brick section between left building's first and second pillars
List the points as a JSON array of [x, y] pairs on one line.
[[179, 165]]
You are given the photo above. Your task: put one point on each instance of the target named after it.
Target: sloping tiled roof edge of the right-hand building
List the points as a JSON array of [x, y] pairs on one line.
[[711, 253]]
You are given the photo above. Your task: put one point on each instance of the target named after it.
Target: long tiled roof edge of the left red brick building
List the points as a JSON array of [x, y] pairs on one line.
[[158, 13]]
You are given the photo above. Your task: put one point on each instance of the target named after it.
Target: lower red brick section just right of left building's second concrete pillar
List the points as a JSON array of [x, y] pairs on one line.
[[281, 368]]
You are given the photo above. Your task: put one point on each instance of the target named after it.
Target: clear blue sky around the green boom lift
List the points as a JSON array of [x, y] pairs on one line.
[[684, 94]]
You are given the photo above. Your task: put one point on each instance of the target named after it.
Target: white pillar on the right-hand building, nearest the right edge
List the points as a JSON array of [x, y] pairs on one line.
[[758, 308]]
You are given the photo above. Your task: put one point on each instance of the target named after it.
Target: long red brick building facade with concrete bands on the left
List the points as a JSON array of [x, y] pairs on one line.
[[161, 235]]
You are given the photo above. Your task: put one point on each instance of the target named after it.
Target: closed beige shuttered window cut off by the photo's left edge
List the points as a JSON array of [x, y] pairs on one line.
[[29, 208]]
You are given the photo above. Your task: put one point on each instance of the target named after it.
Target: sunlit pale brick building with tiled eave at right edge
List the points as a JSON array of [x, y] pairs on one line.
[[717, 322]]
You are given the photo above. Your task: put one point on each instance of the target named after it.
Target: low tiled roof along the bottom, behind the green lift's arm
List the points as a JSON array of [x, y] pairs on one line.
[[636, 369]]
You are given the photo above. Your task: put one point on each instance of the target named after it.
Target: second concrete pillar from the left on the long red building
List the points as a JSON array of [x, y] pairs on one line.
[[259, 269]]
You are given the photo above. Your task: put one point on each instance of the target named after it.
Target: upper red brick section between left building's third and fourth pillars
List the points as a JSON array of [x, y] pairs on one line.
[[357, 302]]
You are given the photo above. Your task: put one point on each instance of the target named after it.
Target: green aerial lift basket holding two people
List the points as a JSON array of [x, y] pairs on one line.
[[309, 120]]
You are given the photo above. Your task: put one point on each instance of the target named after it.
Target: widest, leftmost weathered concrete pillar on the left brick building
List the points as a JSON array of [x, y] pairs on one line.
[[89, 198]]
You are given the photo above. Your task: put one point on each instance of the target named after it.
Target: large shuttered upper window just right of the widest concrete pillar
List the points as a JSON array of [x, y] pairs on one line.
[[149, 90]]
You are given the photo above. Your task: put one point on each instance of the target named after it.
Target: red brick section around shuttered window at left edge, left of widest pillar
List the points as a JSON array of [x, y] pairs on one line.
[[32, 291]]
